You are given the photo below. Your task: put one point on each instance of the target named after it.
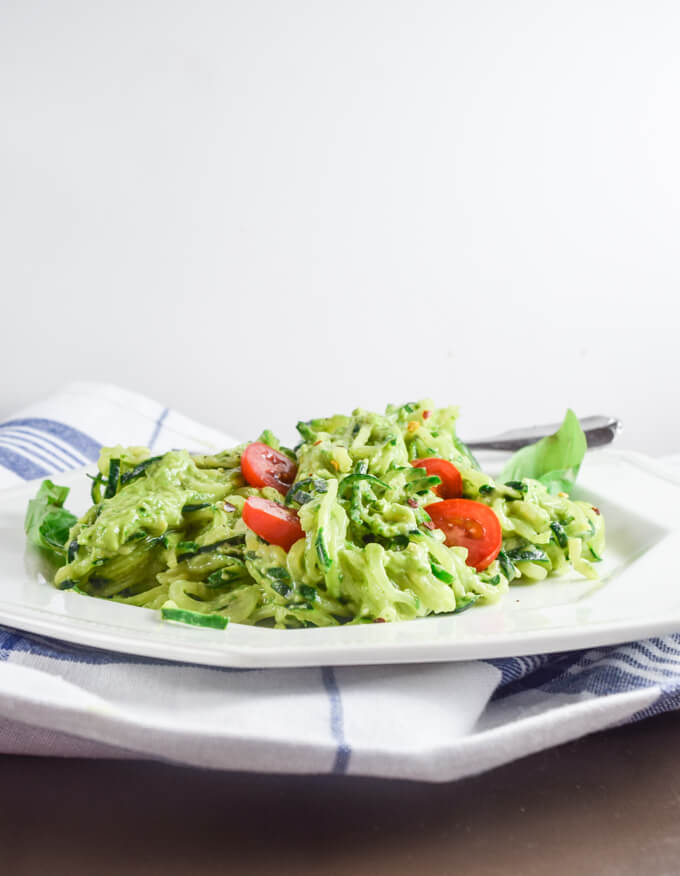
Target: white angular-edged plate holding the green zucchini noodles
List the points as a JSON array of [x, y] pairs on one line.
[[638, 595]]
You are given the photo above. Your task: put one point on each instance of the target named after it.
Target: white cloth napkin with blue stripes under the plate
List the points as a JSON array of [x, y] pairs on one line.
[[431, 722]]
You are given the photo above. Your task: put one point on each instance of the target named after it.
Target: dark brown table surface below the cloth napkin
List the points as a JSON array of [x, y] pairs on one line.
[[606, 804]]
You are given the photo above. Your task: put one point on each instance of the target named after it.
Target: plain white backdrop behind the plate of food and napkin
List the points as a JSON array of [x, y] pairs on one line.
[[263, 211]]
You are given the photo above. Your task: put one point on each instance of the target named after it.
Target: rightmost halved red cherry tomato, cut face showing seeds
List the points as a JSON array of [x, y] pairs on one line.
[[469, 524]]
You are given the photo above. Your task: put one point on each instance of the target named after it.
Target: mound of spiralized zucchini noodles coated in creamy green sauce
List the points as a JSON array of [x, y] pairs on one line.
[[168, 530]]
